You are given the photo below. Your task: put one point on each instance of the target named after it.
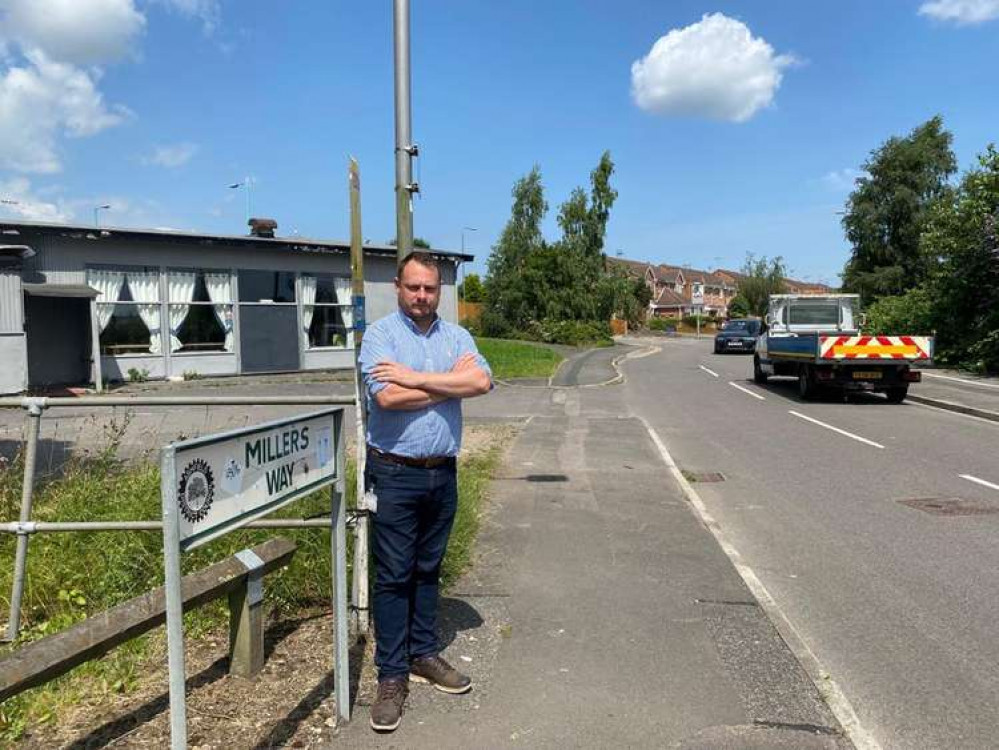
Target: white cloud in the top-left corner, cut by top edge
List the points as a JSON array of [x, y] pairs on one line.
[[81, 32]]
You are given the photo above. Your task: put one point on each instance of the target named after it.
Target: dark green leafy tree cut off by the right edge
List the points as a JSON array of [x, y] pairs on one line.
[[961, 242]]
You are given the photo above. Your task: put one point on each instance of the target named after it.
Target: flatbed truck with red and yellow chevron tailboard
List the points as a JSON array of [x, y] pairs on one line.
[[817, 338]]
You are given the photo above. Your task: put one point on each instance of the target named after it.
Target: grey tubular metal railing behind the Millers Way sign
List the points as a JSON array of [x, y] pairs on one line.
[[24, 527]]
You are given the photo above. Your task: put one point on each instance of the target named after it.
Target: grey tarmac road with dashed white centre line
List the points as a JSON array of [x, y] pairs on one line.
[[898, 604]]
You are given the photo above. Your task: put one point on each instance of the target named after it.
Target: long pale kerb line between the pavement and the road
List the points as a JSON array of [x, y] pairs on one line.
[[828, 687]]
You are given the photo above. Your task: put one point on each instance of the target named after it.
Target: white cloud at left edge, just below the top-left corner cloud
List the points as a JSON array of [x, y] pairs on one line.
[[42, 101]]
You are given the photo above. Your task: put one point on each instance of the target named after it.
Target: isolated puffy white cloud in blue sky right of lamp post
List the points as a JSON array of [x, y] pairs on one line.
[[714, 68]]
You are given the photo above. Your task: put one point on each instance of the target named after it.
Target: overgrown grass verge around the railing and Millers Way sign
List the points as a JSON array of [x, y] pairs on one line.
[[72, 575]]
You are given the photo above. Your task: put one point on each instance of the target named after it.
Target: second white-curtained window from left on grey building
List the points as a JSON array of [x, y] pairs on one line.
[[200, 310]]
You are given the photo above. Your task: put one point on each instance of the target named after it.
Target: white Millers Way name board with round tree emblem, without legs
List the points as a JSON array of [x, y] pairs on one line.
[[224, 481]]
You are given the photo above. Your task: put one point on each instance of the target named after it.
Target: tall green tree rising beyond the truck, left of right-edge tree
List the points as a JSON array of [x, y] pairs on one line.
[[887, 211]]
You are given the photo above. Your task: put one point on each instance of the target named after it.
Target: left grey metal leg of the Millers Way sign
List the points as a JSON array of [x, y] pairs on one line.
[[174, 604]]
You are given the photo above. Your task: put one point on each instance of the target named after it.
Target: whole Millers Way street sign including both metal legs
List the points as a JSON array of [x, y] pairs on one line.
[[214, 484]]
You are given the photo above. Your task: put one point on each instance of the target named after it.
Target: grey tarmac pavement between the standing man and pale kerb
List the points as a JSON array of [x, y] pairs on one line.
[[602, 614]]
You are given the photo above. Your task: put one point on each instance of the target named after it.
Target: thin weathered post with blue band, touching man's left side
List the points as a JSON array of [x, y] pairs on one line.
[[359, 588]]
